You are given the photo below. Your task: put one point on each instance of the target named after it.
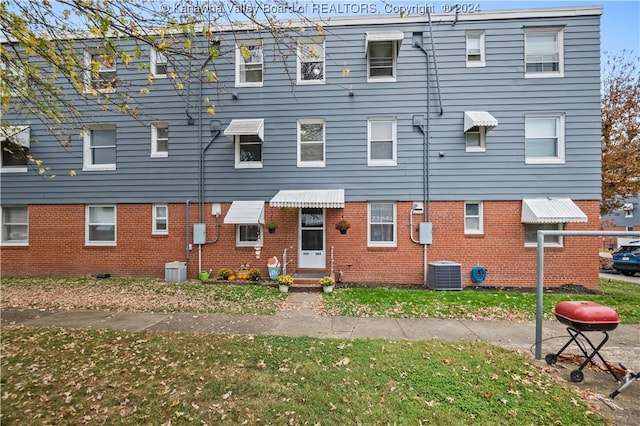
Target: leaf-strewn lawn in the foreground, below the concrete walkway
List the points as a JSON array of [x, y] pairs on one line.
[[85, 376]]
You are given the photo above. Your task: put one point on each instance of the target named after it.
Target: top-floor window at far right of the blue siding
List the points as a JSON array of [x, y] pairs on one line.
[[544, 56]]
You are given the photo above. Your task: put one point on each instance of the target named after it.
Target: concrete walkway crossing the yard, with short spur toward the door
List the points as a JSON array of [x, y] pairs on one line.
[[300, 317]]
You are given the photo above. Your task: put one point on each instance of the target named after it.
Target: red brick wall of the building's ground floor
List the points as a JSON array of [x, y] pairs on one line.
[[57, 245]]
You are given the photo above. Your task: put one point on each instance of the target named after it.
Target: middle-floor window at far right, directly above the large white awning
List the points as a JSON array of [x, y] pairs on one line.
[[544, 139]]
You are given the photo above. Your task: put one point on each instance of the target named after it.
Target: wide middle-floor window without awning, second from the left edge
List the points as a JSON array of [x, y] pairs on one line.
[[100, 148]]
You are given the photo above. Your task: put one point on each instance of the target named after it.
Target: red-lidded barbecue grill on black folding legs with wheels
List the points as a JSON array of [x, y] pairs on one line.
[[581, 317]]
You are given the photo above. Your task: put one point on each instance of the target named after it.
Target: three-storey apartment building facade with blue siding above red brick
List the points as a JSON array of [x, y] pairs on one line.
[[437, 138]]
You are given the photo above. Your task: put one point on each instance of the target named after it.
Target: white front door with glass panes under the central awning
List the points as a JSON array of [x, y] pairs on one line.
[[312, 253]]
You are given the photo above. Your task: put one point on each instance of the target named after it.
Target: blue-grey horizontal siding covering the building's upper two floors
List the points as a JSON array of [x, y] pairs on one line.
[[500, 88]]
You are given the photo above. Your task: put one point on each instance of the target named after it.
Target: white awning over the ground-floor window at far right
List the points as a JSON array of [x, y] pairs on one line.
[[551, 210]]
